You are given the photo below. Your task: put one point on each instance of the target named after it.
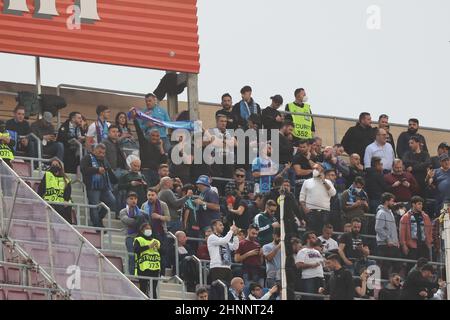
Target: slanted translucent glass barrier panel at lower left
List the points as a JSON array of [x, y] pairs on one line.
[[55, 245]]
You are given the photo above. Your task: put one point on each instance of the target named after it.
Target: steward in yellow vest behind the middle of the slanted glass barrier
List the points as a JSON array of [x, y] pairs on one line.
[[55, 186]]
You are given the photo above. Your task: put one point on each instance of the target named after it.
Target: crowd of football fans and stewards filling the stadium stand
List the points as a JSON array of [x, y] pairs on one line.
[[369, 196]]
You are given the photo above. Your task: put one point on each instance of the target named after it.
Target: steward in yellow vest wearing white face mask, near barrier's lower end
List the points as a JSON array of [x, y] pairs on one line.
[[147, 258]]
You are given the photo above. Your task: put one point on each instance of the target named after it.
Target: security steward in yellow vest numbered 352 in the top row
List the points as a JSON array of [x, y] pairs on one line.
[[304, 127]]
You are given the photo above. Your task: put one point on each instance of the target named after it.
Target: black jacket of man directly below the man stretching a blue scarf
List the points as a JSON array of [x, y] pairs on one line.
[[150, 154]]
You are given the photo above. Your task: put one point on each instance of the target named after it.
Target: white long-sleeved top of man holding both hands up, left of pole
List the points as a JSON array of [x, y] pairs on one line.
[[217, 244]]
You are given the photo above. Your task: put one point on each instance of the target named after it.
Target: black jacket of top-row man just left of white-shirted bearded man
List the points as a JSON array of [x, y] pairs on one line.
[[357, 138]]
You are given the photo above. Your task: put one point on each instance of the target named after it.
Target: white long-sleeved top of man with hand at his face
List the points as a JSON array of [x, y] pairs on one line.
[[315, 194]]
